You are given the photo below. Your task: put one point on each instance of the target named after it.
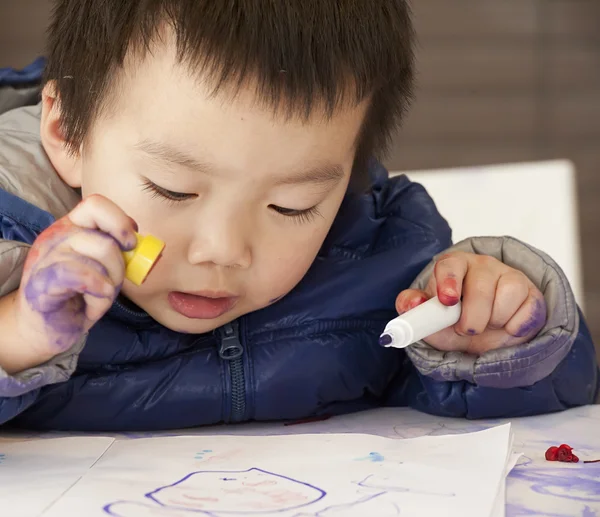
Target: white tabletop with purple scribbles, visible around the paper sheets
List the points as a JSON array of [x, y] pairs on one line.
[[535, 486]]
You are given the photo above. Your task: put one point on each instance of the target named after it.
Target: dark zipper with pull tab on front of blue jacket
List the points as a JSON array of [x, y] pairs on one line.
[[231, 350]]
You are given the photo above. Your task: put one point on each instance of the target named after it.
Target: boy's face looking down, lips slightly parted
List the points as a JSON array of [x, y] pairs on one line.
[[243, 198]]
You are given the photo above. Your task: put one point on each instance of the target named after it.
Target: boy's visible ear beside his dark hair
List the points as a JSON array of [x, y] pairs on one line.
[[66, 162]]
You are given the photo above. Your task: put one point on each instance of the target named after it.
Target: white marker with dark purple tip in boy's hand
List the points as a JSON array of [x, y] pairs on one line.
[[418, 323]]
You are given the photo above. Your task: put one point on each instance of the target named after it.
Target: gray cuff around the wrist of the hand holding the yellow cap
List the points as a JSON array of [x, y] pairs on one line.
[[60, 367]]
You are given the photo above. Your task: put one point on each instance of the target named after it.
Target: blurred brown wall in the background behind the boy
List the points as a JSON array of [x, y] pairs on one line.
[[499, 81]]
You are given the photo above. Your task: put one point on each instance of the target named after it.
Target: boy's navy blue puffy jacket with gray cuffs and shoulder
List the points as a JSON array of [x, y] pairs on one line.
[[314, 352]]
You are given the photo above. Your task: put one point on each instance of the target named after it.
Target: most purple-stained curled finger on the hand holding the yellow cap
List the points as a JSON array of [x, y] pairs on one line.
[[49, 288]]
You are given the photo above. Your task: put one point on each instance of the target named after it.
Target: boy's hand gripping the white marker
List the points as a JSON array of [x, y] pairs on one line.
[[500, 305]]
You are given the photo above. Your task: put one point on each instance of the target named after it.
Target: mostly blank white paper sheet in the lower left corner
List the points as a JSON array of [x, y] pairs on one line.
[[33, 474]]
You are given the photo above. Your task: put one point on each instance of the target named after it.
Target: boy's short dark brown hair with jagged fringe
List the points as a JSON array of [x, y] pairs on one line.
[[298, 52]]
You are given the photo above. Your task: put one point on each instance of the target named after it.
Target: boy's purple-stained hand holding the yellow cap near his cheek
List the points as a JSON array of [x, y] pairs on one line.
[[72, 275]]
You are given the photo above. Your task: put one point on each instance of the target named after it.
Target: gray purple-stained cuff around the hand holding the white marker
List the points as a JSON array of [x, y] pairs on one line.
[[516, 366]]
